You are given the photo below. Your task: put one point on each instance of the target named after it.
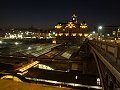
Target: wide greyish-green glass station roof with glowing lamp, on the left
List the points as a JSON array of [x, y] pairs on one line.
[[25, 50]]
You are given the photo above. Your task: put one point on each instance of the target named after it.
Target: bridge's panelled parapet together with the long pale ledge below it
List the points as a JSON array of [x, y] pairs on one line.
[[109, 54]]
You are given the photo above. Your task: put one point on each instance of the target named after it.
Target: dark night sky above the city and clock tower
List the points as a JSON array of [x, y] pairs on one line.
[[46, 13]]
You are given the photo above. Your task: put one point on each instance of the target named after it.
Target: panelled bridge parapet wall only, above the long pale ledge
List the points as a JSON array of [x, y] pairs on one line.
[[110, 51]]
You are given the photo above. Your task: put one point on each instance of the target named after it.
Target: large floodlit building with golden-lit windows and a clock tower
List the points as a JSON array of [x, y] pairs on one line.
[[71, 32]]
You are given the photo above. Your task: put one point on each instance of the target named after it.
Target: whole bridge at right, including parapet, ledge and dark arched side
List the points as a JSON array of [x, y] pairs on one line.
[[107, 58]]
